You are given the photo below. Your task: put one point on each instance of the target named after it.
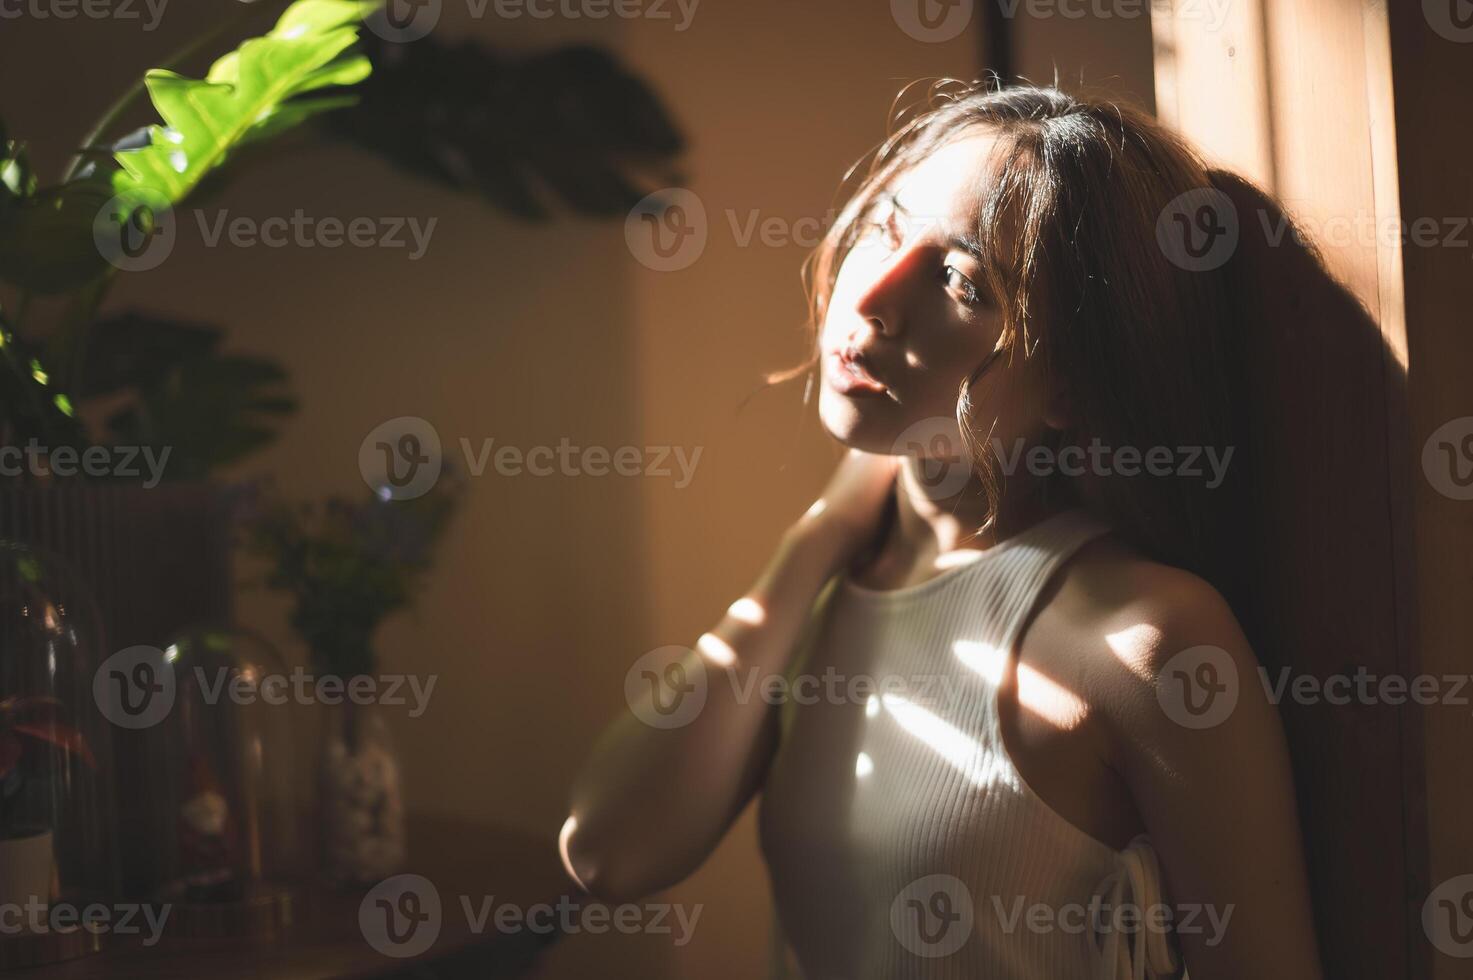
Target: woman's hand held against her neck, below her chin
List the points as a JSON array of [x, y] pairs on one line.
[[846, 517]]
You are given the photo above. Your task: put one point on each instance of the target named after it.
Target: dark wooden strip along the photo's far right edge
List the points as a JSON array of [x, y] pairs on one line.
[[1432, 67]]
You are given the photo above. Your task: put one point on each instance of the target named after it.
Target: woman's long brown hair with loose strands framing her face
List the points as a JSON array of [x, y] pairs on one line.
[[1076, 228]]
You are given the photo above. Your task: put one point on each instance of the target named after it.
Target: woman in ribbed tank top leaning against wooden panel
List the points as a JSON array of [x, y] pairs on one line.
[[1048, 755]]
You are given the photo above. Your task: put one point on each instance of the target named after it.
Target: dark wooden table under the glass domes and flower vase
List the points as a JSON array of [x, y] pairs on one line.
[[326, 938]]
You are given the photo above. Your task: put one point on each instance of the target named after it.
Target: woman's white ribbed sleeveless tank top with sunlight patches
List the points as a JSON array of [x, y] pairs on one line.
[[901, 841]]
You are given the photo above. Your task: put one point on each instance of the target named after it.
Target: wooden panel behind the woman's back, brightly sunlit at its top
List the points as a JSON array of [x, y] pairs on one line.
[[1296, 97]]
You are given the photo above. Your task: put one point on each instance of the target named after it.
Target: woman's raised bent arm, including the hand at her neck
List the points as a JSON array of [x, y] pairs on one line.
[[652, 802]]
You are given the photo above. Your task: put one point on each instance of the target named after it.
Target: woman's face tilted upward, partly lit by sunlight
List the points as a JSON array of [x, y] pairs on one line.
[[910, 321]]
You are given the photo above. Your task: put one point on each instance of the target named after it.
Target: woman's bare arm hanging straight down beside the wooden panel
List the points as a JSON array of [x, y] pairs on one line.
[[1216, 789]]
